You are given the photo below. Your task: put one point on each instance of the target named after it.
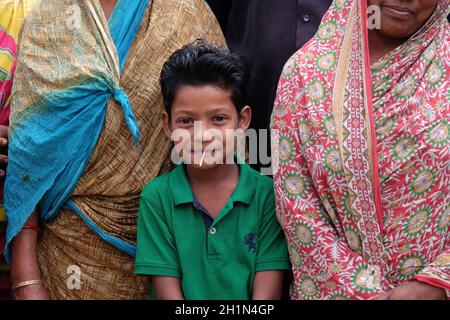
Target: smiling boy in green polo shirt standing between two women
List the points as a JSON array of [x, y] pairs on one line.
[[208, 229]]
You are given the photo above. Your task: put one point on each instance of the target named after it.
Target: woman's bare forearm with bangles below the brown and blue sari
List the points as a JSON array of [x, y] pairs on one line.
[[25, 263]]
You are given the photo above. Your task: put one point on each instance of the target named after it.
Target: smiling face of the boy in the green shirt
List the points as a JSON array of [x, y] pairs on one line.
[[203, 123]]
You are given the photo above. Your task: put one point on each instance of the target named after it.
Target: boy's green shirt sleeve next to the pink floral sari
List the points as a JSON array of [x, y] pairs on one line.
[[272, 253]]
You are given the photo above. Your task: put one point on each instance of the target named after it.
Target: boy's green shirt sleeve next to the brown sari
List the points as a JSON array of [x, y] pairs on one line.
[[156, 250]]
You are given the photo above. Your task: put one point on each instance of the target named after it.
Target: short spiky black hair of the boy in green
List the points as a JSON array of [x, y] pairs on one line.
[[201, 63]]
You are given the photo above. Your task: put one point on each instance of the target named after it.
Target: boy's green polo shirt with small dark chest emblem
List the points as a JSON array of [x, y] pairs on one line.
[[215, 258]]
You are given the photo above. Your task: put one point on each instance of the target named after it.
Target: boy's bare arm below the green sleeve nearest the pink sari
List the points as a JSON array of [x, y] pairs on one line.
[[268, 285]]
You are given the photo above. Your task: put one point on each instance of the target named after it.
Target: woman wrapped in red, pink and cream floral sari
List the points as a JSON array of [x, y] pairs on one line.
[[361, 154]]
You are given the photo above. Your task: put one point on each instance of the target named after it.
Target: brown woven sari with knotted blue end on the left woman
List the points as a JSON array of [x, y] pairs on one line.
[[86, 134]]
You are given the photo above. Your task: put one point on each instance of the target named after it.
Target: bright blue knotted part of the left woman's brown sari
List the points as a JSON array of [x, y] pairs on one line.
[[52, 138]]
